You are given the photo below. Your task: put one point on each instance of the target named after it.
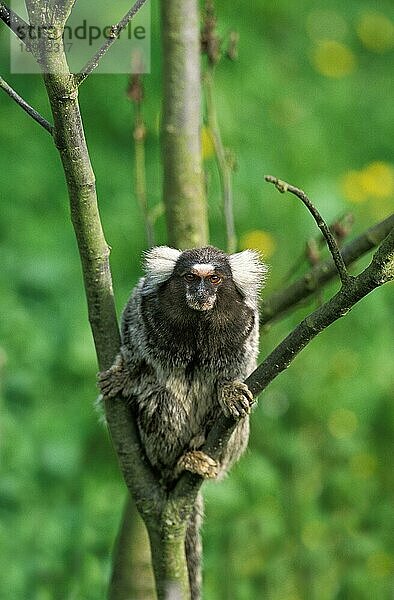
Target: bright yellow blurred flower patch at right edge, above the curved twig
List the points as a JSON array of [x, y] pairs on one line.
[[375, 180]]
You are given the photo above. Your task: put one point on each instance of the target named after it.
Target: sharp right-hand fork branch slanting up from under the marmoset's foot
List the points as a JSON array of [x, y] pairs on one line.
[[380, 271]]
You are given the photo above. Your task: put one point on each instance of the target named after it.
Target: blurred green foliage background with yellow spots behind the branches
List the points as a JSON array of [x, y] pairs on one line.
[[308, 512]]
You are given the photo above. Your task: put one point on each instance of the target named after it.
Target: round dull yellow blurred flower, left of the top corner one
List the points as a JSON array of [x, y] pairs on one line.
[[333, 59]]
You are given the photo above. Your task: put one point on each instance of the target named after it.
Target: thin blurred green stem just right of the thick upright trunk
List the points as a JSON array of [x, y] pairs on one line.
[[224, 168]]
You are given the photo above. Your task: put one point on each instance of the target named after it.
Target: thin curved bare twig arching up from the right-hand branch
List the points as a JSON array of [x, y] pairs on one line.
[[282, 186]]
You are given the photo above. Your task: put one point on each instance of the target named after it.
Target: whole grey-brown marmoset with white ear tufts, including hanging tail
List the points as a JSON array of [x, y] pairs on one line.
[[189, 338]]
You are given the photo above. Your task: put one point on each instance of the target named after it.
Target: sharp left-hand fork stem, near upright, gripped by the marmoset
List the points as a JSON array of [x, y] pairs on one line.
[[94, 254]]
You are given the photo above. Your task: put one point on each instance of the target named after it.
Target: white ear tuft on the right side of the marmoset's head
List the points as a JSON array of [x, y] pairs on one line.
[[249, 274]]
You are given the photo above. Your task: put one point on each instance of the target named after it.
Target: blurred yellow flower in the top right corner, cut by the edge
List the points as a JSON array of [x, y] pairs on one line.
[[376, 32]]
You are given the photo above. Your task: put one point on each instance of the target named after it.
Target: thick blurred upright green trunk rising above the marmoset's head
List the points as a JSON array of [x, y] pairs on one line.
[[183, 182]]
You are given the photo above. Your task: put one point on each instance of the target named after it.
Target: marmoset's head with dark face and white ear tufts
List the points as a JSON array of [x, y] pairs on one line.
[[202, 285]]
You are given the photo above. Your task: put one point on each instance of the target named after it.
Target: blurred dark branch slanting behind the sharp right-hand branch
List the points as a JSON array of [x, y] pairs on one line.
[[281, 301]]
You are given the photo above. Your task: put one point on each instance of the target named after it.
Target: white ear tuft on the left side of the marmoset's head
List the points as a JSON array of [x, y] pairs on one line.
[[159, 263]]
